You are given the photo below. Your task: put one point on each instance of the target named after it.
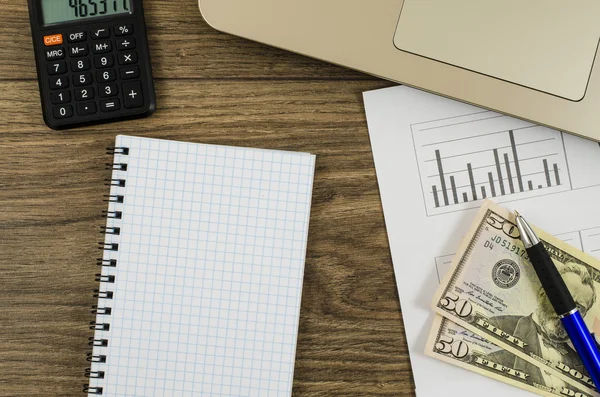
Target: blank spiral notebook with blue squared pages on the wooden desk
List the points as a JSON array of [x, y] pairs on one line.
[[202, 271]]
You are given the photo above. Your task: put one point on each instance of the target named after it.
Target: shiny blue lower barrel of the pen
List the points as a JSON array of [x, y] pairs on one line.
[[584, 344]]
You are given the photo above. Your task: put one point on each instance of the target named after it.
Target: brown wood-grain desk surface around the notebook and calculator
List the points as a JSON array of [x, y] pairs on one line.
[[211, 88]]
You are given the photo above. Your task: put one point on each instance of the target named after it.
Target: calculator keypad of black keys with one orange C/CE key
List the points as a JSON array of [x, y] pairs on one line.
[[94, 71]]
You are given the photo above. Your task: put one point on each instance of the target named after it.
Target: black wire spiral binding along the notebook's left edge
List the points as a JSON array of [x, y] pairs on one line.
[[103, 311]]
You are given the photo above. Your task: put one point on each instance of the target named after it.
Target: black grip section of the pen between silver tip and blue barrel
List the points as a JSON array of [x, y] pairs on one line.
[[551, 280]]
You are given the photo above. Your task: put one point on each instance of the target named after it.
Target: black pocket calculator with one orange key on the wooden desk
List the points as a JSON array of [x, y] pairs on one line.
[[92, 59]]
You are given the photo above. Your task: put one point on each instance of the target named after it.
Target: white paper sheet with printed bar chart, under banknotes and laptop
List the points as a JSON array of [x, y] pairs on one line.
[[436, 160]]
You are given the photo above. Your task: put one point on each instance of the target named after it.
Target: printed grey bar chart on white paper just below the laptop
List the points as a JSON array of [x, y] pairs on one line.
[[464, 160]]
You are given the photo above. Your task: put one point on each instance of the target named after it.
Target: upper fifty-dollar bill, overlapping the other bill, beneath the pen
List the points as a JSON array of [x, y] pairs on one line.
[[492, 290]]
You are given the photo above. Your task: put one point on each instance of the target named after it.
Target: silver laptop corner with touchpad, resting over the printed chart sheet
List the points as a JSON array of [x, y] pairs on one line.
[[533, 59]]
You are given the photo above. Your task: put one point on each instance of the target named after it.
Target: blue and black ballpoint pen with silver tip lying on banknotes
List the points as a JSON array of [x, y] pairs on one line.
[[561, 299]]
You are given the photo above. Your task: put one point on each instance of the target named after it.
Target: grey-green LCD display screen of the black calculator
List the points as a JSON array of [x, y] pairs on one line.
[[55, 11]]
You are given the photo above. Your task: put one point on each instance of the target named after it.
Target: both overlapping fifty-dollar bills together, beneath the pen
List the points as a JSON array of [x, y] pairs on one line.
[[493, 317]]
